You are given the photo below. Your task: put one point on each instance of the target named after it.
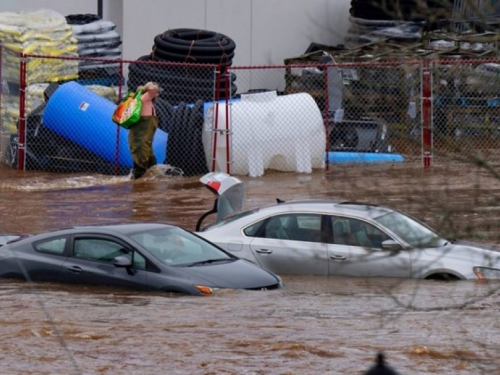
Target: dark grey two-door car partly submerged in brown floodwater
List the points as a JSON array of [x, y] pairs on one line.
[[147, 256]]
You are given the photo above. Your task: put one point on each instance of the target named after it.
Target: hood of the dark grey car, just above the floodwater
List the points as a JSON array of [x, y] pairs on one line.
[[240, 274]]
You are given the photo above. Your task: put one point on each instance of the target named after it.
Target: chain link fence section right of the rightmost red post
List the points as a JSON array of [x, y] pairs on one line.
[[466, 110]]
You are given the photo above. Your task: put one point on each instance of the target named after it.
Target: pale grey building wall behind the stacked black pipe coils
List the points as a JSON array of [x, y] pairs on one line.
[[265, 31]]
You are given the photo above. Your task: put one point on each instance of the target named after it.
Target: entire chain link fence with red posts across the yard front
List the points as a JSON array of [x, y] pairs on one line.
[[299, 117]]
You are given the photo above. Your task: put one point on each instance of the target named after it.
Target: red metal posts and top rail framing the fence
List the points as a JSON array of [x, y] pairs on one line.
[[425, 96]]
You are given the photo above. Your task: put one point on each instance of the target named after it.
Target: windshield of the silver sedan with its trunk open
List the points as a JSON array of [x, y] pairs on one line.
[[410, 230]]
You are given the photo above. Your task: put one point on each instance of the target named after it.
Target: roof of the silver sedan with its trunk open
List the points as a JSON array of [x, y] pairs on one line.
[[357, 209]]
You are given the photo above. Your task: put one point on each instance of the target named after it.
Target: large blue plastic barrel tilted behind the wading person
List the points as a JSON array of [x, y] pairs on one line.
[[84, 117]]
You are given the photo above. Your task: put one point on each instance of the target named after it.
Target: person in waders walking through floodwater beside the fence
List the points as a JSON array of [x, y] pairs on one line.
[[141, 134]]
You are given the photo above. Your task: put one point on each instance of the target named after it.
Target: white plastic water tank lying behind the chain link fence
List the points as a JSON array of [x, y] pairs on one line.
[[265, 131]]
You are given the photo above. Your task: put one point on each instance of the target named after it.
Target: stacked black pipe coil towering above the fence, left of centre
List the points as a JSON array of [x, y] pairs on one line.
[[184, 63]]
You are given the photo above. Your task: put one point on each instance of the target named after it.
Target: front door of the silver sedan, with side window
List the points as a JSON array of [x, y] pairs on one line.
[[355, 250]]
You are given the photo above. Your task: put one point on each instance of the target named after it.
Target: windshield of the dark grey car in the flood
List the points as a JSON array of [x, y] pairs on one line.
[[177, 247]]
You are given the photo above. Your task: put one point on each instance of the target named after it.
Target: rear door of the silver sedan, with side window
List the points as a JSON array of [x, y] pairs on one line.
[[291, 244]]
